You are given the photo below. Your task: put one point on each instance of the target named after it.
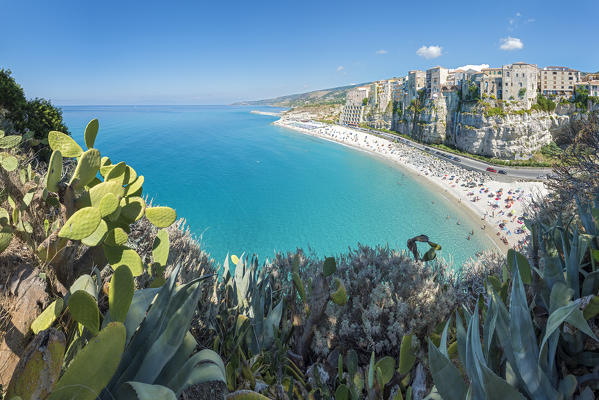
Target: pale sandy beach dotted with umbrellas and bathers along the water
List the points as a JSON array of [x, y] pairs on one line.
[[499, 206]]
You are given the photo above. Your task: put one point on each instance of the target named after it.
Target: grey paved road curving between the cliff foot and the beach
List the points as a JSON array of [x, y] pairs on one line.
[[512, 173]]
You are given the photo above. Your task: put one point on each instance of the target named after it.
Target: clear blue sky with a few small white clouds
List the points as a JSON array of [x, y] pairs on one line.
[[218, 52]]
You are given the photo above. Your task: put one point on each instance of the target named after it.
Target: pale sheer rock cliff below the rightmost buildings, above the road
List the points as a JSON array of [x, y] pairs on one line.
[[472, 128]]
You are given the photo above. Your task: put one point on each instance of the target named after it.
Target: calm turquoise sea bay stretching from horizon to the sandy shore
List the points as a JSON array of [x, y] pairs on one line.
[[245, 185]]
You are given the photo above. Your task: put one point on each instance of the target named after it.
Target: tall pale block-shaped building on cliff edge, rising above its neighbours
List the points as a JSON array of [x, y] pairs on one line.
[[520, 82]]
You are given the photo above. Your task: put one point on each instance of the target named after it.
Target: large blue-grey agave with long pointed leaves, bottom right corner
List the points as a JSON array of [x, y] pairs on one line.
[[522, 353]]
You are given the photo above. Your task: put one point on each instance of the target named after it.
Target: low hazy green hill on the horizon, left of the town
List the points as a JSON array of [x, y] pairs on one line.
[[325, 96]]
